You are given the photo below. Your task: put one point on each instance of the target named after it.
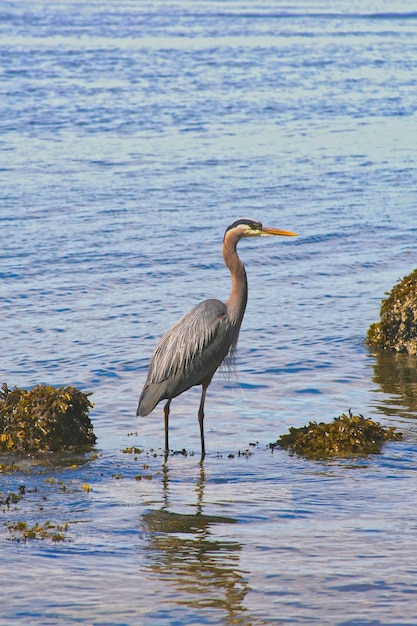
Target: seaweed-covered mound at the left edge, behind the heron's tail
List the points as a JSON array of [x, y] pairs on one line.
[[44, 419]]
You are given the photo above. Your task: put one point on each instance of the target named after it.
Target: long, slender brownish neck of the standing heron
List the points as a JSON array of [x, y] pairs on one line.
[[236, 304]]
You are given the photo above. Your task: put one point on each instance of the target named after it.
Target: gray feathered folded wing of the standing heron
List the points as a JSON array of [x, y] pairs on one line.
[[190, 351]]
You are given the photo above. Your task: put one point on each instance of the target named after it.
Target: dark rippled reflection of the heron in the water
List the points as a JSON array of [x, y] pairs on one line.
[[202, 571]]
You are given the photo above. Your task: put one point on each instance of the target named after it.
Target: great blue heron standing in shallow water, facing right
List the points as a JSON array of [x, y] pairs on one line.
[[191, 351]]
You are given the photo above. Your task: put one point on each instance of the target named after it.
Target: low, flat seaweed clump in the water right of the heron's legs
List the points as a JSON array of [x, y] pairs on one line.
[[345, 436]]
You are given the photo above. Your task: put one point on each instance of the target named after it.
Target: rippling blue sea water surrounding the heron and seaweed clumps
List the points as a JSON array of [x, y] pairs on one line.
[[132, 134]]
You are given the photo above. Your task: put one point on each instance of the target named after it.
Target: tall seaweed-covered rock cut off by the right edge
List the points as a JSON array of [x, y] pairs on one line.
[[397, 330]]
